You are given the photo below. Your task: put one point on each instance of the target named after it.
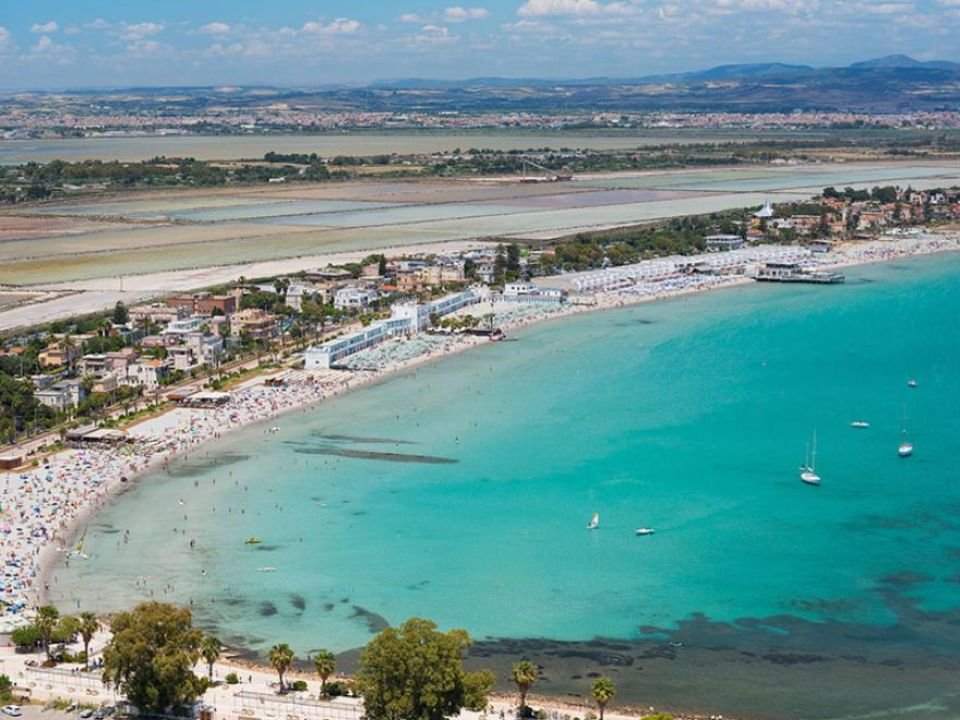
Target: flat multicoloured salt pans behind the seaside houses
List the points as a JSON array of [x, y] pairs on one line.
[[137, 240]]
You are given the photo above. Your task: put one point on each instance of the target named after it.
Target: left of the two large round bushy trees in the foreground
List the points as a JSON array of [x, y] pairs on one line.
[[151, 655]]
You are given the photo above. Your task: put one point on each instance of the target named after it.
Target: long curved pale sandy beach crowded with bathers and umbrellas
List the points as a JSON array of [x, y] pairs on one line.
[[46, 508]]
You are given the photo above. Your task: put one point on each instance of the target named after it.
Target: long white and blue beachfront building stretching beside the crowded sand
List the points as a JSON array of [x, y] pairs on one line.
[[405, 319]]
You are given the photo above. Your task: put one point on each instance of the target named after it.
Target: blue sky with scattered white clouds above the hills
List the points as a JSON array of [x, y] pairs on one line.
[[118, 43]]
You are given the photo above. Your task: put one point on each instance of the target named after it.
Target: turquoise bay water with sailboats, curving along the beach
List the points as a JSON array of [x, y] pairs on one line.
[[461, 492]]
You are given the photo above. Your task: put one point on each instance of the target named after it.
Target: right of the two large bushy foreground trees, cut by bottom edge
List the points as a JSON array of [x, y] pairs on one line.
[[415, 672]]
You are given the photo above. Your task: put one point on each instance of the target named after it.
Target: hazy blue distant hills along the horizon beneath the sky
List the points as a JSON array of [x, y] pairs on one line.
[[895, 83]]
